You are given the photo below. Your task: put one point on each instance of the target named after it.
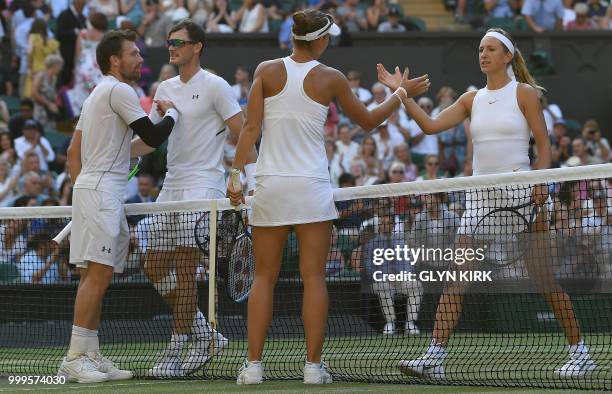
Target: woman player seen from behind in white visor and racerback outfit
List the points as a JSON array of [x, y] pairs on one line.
[[289, 99]]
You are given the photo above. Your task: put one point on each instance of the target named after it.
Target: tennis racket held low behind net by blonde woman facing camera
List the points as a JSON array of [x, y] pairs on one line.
[[503, 245]]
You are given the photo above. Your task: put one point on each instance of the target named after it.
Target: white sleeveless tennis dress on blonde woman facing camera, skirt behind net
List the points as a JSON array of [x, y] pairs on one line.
[[500, 135]]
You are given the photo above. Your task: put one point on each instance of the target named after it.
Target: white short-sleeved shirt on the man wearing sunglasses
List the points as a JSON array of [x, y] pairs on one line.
[[195, 147]]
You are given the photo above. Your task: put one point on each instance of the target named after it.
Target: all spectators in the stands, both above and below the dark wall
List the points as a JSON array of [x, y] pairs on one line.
[[48, 61]]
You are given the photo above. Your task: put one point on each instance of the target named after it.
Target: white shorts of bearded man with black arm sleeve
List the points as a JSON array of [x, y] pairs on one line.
[[99, 231]]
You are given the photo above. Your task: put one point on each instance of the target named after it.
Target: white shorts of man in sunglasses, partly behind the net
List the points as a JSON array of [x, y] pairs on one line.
[[170, 230]]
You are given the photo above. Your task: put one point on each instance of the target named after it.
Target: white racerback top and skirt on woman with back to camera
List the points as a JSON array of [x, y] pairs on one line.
[[292, 181]]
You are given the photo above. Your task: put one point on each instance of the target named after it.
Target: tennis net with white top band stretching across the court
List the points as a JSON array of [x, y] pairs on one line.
[[395, 248]]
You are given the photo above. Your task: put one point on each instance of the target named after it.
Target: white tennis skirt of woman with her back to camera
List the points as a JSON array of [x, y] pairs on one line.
[[285, 200]]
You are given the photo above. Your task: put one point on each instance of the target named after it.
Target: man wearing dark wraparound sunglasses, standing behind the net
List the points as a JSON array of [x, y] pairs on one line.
[[195, 172]]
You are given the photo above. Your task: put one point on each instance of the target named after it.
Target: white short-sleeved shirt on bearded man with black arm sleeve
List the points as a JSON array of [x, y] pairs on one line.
[[105, 143]]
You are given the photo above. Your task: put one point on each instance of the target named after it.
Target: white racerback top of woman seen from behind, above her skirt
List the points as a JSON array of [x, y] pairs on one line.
[[293, 141]]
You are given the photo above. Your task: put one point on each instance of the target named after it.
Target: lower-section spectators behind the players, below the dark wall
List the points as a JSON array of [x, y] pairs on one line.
[[32, 174]]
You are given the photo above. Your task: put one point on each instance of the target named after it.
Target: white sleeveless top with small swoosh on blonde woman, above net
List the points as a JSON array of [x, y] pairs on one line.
[[500, 132]]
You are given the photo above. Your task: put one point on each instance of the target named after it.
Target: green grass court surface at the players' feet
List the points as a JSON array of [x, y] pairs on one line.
[[508, 359]]
